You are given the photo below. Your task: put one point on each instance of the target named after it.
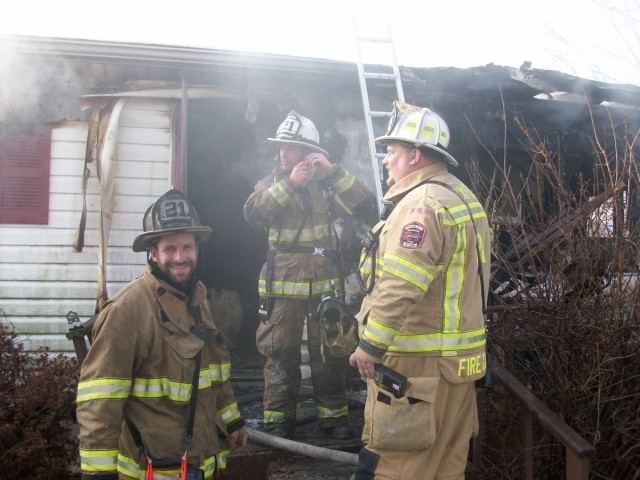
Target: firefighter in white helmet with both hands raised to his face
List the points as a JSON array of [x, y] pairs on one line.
[[297, 205]]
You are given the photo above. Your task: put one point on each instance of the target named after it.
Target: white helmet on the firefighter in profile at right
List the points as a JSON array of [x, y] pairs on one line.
[[418, 126]]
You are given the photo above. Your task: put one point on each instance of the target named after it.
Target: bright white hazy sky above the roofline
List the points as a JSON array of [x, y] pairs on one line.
[[586, 38]]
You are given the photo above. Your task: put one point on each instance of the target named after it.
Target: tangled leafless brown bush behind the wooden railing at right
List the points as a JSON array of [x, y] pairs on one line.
[[566, 274]]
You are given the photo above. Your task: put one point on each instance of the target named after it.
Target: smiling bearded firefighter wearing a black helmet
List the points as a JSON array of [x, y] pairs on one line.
[[154, 388]]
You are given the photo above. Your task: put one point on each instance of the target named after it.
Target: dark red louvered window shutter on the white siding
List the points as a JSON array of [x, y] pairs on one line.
[[25, 154]]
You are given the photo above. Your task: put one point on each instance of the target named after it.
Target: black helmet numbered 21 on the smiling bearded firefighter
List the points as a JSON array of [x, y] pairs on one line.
[[171, 213]]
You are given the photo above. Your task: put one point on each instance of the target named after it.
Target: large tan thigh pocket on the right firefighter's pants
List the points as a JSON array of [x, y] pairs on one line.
[[405, 423]]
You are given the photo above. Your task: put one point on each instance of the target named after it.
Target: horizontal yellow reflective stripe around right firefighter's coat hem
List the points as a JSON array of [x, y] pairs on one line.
[[446, 343]]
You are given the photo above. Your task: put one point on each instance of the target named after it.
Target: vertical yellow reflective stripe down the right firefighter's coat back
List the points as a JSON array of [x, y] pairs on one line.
[[454, 280]]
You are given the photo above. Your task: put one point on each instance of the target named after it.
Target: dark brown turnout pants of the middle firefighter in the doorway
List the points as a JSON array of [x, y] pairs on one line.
[[279, 339]]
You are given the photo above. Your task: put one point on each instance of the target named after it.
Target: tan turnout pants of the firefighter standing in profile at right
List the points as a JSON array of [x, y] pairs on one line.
[[445, 422]]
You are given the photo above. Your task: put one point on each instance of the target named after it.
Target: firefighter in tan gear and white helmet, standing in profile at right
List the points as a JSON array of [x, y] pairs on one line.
[[423, 317]]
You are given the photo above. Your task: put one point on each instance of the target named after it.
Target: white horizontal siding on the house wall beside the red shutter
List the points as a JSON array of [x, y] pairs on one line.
[[41, 278]]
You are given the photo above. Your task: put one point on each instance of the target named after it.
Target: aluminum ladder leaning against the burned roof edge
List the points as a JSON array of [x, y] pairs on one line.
[[372, 79]]
